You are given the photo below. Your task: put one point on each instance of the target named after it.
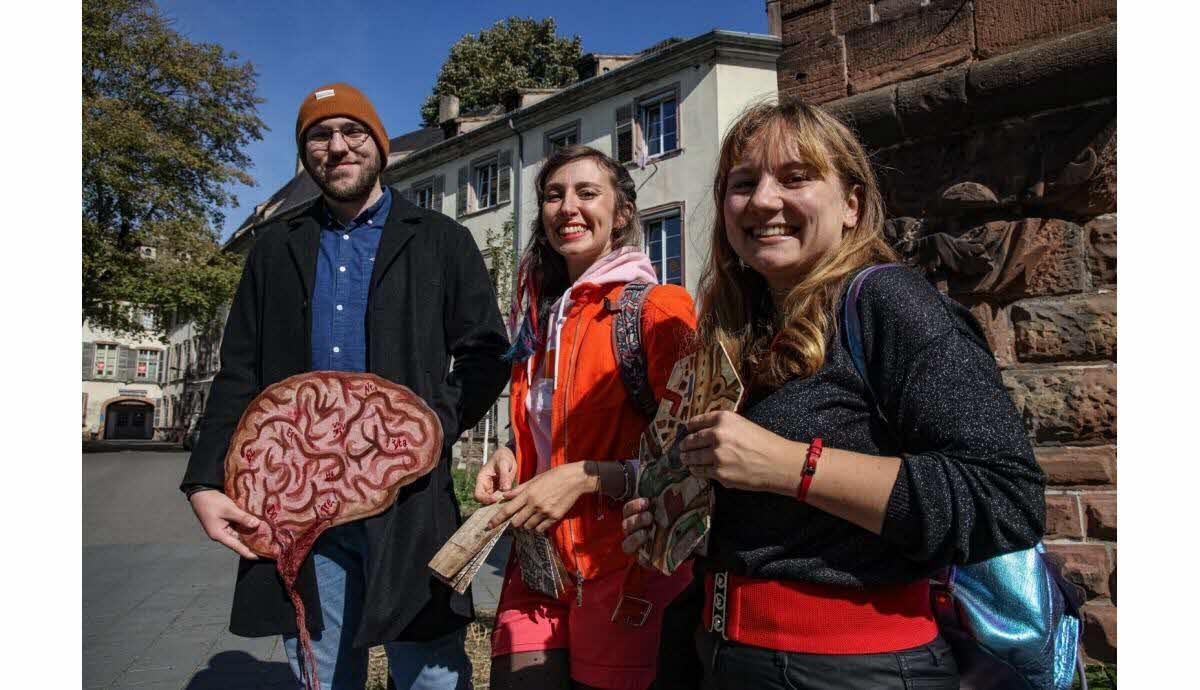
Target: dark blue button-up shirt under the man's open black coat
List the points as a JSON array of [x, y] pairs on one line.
[[340, 295]]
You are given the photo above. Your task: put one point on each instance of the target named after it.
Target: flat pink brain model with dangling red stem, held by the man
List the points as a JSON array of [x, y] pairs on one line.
[[322, 449]]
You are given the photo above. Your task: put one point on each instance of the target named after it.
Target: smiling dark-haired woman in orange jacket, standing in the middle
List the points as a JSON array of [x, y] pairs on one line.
[[575, 434]]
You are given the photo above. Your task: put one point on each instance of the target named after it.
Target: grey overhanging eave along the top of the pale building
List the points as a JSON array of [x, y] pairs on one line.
[[717, 44]]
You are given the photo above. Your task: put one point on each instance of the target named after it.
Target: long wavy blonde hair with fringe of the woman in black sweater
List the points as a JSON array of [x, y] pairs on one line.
[[771, 346]]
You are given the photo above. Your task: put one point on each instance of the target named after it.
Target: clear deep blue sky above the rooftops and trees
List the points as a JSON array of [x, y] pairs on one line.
[[393, 52]]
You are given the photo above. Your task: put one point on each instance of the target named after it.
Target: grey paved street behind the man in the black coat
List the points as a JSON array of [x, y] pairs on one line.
[[157, 592]]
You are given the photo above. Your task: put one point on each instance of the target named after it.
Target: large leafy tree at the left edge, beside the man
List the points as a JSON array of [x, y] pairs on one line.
[[165, 125]]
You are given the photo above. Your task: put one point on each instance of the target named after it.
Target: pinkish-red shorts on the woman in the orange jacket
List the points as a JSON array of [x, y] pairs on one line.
[[602, 653]]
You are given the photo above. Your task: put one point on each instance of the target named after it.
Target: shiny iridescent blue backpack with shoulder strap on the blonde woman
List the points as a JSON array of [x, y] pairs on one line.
[[1013, 621]]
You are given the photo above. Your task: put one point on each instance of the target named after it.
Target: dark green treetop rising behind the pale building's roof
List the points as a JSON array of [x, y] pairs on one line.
[[514, 53]]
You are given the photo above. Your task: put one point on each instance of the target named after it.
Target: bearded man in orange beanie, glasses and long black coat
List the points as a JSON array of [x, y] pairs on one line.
[[358, 280]]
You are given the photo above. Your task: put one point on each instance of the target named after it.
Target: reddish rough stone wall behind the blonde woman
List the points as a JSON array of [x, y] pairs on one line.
[[993, 127]]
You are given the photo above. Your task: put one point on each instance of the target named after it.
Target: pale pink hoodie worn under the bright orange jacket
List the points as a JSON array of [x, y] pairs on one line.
[[625, 266]]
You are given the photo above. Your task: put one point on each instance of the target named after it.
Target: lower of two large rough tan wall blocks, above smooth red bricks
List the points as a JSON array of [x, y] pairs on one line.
[[1075, 405]]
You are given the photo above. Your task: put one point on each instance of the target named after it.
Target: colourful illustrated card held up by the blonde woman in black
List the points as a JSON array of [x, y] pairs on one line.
[[681, 503]]
